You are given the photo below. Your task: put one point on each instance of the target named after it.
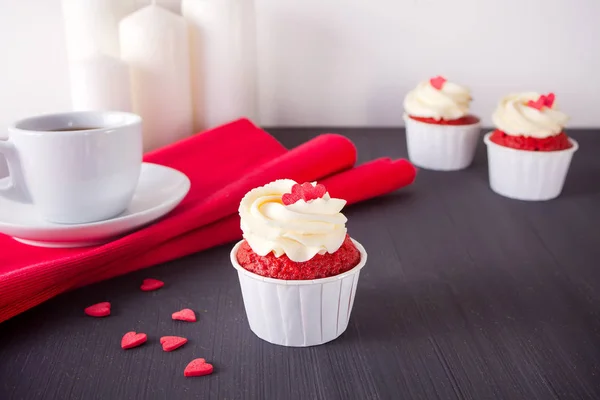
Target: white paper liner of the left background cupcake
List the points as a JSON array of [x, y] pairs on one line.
[[441, 147]]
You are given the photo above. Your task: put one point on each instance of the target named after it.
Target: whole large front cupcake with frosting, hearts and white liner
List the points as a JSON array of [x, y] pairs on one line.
[[297, 266]]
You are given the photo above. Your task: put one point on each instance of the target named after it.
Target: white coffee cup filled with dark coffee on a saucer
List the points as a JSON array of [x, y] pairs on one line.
[[74, 167]]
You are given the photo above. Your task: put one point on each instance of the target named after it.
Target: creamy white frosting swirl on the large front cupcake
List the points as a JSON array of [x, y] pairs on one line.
[[300, 230]]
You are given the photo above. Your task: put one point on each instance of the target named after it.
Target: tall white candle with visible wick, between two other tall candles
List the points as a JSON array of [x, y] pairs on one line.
[[154, 42]]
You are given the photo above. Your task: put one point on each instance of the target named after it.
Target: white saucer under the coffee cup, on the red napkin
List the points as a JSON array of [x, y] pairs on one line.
[[159, 191]]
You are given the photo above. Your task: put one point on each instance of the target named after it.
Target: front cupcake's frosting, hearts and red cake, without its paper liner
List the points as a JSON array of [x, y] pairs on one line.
[[296, 235]]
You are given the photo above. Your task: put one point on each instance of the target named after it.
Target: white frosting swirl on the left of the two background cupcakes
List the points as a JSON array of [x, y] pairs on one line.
[[450, 102]]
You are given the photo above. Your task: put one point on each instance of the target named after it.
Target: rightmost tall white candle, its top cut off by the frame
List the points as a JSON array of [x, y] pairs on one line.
[[223, 60]]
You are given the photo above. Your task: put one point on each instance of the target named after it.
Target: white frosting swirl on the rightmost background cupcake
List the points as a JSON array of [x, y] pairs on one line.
[[514, 117]]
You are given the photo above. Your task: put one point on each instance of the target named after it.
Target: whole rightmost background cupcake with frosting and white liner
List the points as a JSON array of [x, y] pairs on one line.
[[529, 153]]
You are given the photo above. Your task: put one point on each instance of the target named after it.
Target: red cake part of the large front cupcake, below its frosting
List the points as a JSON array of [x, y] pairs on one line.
[[320, 266]]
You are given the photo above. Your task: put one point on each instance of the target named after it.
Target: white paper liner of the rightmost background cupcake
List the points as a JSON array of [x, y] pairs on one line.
[[527, 175]]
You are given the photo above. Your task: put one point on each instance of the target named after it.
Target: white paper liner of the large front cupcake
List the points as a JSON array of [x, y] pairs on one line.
[[298, 313]]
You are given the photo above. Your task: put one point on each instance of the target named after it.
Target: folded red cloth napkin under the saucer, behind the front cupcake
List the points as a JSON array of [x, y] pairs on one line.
[[222, 164]]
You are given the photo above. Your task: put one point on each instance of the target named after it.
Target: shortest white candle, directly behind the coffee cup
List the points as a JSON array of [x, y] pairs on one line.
[[100, 83]]
